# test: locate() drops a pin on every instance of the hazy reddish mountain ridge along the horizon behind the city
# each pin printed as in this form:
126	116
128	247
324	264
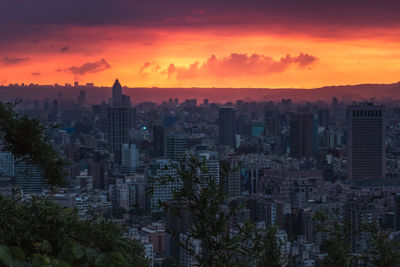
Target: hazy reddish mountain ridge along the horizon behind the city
360	92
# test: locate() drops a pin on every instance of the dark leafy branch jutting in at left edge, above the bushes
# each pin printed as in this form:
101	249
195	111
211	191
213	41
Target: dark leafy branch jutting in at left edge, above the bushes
25	138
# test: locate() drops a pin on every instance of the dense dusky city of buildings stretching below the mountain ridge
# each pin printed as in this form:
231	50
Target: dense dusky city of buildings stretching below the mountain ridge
287	161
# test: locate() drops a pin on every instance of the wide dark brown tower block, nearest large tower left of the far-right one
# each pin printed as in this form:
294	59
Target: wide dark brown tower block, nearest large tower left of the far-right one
303	135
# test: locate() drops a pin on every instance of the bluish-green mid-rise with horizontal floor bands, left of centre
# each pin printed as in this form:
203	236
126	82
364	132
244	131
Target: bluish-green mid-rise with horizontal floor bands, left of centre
175	146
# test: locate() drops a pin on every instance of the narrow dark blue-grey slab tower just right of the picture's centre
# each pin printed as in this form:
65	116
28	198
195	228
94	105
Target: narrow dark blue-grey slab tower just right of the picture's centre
227	126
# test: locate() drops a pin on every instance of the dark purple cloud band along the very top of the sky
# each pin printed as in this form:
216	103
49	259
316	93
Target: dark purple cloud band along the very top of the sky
161	12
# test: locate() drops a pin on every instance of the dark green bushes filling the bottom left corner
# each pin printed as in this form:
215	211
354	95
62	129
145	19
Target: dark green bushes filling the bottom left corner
40	233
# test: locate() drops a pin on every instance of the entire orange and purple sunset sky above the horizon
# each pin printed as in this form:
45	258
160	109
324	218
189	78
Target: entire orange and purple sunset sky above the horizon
221	43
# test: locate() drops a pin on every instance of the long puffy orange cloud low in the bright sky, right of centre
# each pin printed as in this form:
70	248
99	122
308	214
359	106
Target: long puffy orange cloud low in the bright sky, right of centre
236	65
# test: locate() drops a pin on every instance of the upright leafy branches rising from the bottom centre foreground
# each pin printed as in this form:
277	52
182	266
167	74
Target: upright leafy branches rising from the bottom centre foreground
211	219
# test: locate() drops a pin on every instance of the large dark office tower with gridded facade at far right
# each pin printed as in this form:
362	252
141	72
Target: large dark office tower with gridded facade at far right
366	147
